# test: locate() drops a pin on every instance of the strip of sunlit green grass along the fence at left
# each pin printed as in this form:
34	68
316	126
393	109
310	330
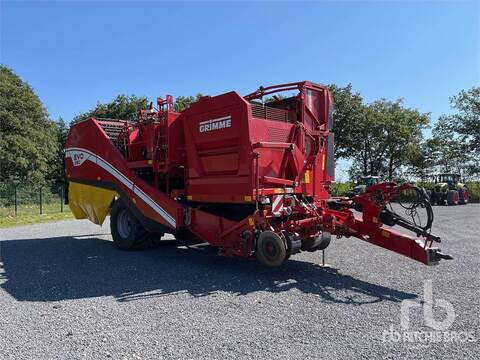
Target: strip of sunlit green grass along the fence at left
30	214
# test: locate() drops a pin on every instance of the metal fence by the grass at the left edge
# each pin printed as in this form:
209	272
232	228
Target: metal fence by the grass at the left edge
21	199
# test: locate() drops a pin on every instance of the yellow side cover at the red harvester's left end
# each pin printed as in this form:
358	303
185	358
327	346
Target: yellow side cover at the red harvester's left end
89	202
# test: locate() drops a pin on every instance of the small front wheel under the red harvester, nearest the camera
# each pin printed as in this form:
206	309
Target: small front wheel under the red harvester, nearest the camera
271	250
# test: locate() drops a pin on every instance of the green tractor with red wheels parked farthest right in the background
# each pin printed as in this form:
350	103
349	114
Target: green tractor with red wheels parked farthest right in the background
448	189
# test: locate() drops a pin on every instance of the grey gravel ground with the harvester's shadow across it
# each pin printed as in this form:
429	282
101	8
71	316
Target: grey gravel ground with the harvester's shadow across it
67	293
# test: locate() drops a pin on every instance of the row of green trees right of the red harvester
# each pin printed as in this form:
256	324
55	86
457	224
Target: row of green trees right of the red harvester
385	138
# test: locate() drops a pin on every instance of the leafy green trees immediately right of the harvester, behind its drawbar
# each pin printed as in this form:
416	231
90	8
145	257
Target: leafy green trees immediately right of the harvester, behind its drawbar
381	138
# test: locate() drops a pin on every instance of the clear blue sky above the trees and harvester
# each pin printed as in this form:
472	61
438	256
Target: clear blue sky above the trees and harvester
75	54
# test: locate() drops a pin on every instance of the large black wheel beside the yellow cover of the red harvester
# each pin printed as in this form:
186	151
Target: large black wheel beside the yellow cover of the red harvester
127	232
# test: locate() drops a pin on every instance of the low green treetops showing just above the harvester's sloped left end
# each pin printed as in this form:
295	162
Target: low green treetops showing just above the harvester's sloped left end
122	107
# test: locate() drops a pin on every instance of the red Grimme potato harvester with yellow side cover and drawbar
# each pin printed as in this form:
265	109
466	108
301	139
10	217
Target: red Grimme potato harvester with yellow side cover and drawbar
248	177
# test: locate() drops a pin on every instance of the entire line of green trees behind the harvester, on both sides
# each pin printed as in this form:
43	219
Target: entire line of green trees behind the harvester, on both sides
382	138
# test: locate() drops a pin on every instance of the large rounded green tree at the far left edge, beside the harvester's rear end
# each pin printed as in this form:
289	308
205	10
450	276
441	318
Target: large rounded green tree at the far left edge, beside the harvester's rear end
27	136
